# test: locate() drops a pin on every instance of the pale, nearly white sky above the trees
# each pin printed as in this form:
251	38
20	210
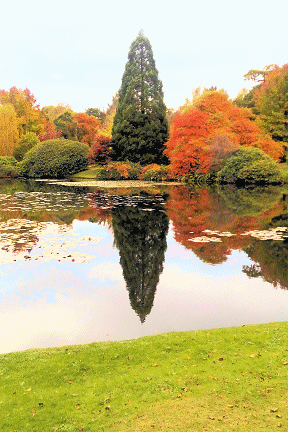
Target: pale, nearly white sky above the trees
75	52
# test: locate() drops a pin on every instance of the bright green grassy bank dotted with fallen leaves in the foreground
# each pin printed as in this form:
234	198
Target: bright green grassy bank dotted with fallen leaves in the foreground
232	379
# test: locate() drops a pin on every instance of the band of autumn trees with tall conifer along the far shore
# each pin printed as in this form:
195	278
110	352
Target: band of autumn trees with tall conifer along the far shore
211	136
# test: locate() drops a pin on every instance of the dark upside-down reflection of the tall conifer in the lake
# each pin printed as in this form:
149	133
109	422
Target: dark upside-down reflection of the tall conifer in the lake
140	235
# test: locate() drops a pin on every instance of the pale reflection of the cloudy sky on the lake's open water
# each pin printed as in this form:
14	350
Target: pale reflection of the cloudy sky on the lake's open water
56	303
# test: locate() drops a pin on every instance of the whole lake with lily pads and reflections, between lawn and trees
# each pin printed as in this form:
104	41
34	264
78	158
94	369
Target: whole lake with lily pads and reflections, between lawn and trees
80	264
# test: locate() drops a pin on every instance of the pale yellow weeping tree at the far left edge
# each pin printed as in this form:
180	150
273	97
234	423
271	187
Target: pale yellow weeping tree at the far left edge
9	134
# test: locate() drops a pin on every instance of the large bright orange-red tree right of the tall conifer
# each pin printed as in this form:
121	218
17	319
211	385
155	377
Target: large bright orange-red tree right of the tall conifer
211	115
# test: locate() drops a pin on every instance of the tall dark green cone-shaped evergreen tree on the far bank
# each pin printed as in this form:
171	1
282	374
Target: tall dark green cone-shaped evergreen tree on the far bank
140	127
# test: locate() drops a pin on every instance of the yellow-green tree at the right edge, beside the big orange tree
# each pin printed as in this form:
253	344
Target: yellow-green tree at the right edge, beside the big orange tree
272	103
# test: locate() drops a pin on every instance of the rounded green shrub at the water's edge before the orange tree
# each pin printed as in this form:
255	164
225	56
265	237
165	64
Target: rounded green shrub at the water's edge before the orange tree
249	165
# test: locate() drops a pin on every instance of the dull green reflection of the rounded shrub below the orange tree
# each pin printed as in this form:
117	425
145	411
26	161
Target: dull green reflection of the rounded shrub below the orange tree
249	201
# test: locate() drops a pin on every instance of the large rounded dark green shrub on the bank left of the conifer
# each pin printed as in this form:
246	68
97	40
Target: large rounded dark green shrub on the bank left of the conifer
55	158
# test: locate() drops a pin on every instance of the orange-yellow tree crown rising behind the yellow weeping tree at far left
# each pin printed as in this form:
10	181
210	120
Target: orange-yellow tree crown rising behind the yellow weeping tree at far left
27	111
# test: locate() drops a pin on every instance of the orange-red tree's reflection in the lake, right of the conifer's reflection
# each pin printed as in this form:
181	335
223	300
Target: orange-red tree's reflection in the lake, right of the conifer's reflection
194	211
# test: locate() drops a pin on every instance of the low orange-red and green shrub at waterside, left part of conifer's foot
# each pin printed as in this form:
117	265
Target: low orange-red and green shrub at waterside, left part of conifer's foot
120	171
